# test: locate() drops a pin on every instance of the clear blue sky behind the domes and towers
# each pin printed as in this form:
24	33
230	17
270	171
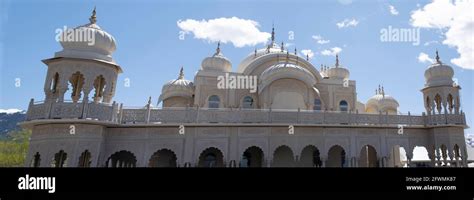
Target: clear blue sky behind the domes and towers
150	51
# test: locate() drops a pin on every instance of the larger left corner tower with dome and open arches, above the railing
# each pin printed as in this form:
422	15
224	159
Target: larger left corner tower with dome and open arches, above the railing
84	67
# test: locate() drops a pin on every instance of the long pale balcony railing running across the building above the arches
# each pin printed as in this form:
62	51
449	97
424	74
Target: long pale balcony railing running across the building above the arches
149	115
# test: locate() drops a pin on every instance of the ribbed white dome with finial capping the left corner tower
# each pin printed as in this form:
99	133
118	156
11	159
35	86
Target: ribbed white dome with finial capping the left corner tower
76	42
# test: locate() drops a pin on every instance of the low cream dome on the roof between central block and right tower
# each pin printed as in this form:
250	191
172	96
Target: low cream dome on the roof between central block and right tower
381	102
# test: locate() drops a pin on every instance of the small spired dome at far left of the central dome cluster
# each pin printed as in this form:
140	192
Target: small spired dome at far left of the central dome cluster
177	87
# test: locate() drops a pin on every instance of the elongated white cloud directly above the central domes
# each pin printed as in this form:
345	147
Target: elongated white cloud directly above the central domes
239	32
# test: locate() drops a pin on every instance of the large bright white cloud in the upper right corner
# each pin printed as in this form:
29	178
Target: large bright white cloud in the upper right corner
456	23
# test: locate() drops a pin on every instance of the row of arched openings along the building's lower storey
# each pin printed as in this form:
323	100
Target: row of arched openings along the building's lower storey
282	156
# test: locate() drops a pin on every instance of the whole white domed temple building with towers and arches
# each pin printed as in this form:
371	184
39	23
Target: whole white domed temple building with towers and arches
298	116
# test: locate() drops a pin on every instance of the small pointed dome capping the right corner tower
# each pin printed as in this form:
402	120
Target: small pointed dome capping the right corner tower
438	74
